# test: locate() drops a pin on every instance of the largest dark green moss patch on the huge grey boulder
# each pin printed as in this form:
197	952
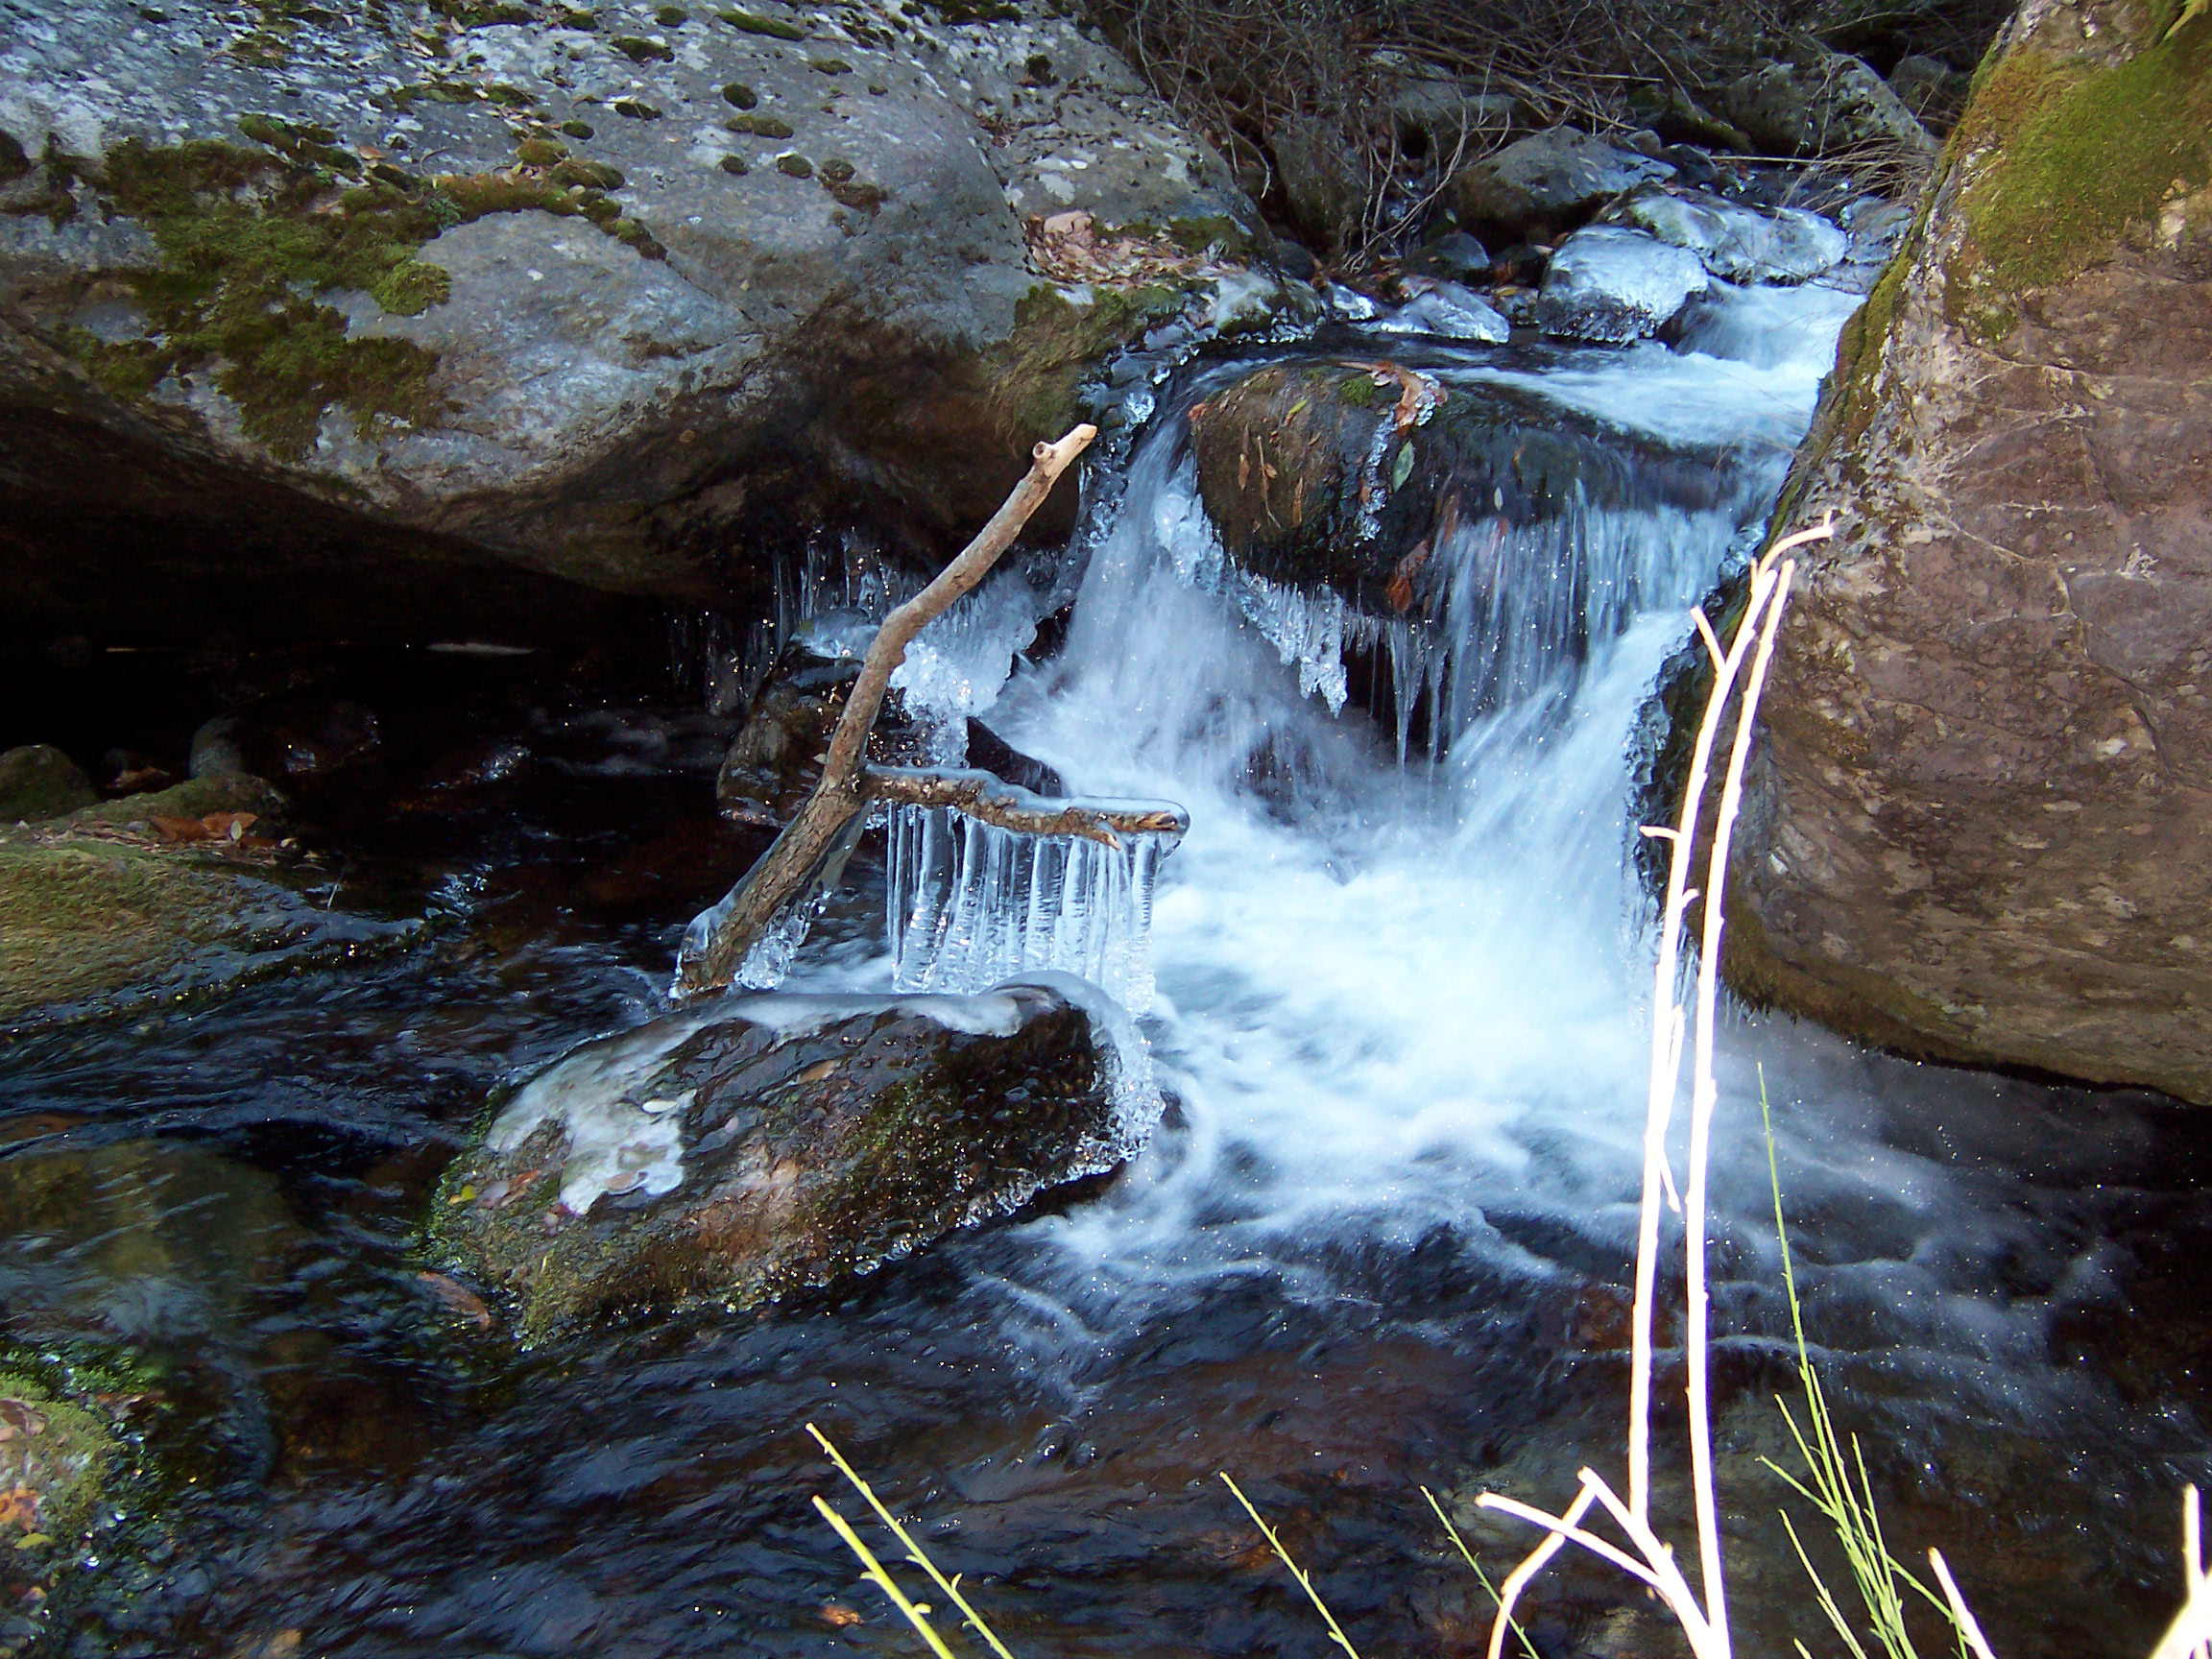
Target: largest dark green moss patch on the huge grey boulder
255	242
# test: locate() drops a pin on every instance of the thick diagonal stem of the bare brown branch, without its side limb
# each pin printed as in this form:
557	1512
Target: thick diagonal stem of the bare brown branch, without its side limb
791	864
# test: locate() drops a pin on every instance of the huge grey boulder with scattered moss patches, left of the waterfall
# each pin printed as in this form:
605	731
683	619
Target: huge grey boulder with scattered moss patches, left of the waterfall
344	302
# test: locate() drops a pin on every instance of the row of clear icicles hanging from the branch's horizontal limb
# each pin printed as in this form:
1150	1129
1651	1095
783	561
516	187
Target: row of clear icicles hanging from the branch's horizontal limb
970	906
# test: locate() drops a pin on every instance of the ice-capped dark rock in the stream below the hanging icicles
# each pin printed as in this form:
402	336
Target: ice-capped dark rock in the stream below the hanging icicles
758	1147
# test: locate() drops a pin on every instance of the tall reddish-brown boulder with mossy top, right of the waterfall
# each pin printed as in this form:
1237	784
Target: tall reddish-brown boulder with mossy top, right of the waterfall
1981	826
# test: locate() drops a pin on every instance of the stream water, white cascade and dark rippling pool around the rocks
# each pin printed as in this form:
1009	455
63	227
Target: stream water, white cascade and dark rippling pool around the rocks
1397	997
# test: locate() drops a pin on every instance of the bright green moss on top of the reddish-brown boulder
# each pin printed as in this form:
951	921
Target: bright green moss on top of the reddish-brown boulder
2069	158
